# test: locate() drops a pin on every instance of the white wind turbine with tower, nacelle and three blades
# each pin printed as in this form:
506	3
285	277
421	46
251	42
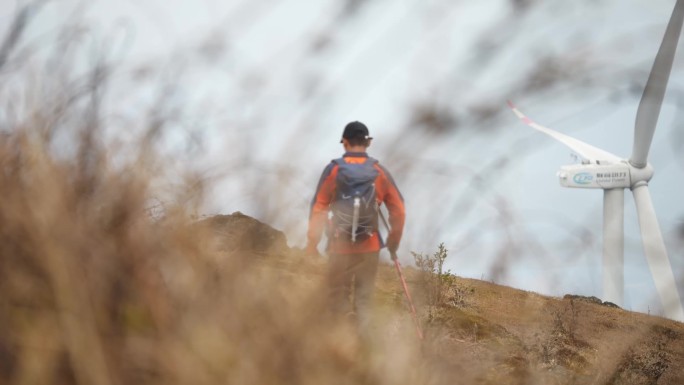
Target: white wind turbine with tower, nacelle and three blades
602	170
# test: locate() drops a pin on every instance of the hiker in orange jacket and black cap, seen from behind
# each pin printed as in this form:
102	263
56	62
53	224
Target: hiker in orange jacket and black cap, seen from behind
352	188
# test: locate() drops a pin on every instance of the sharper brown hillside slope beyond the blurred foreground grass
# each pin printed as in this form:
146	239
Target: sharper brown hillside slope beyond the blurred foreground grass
487	333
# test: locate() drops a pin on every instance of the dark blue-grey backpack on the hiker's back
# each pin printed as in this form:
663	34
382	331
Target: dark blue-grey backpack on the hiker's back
355	206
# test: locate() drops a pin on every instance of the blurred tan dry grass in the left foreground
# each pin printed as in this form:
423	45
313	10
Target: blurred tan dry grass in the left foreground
93	290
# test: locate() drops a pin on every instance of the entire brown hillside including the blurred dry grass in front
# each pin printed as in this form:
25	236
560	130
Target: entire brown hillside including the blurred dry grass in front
113	298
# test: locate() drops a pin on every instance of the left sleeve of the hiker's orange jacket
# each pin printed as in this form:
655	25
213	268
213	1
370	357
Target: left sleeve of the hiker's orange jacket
320	205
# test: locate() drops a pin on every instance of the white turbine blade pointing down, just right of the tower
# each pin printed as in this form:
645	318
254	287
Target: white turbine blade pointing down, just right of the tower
656	254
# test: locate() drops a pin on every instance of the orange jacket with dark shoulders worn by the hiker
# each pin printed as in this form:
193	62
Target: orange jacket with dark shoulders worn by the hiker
387	193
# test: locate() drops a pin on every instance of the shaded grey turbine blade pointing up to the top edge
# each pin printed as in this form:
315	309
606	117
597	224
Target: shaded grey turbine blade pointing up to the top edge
654	92
